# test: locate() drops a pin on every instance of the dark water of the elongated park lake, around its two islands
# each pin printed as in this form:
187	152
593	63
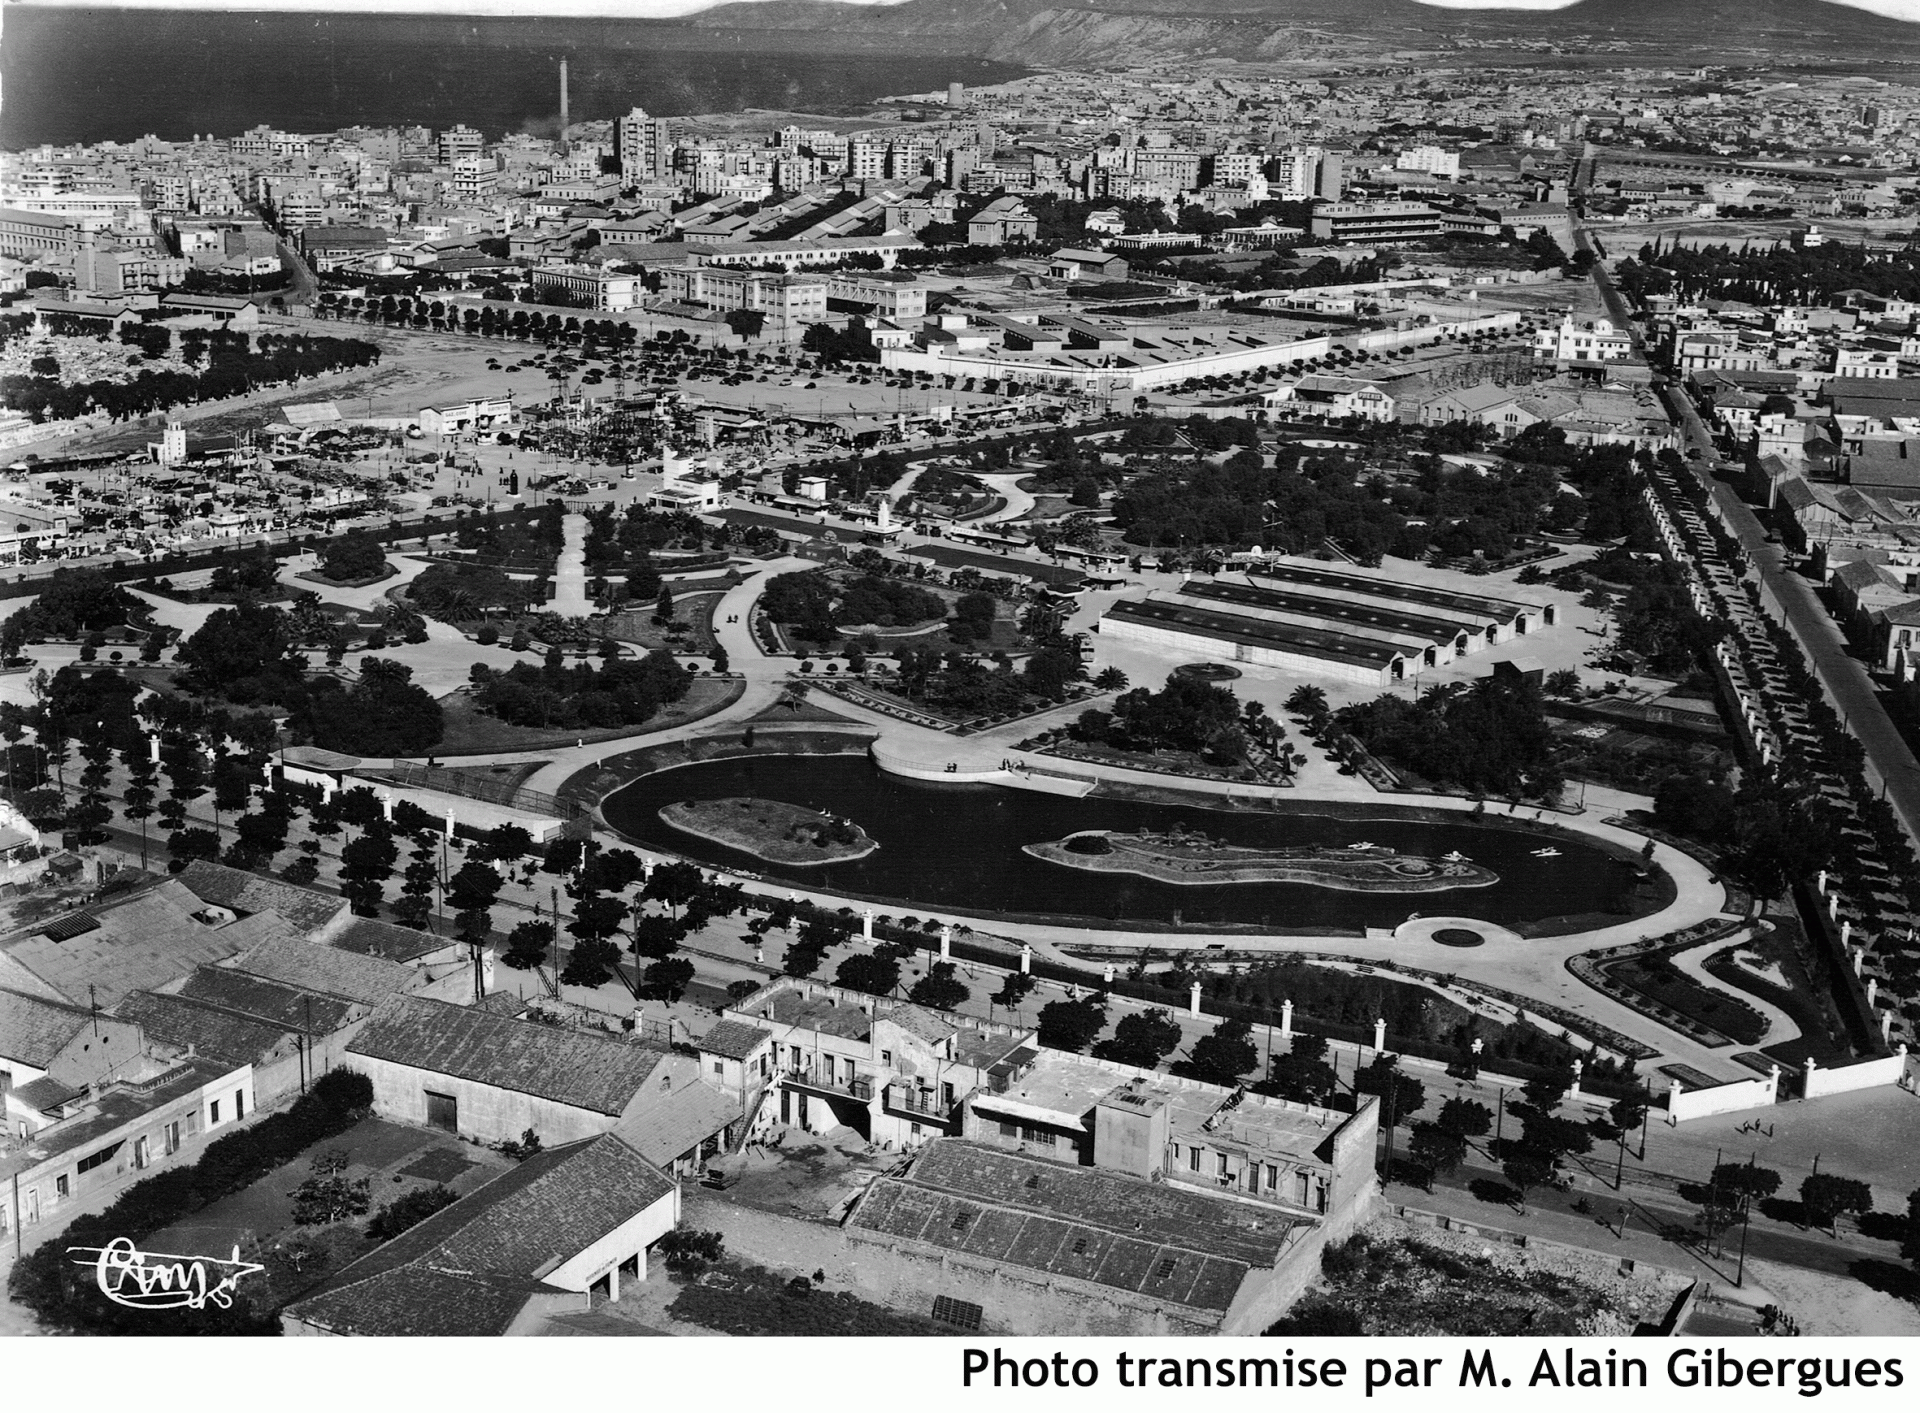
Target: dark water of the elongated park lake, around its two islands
963	850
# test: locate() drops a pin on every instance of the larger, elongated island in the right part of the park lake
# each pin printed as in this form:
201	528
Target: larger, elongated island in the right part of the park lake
1197	859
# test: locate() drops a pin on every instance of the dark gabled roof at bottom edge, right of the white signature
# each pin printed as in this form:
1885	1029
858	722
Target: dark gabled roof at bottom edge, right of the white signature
471	1268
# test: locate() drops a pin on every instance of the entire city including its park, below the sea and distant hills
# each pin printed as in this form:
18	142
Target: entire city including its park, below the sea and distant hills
1207	700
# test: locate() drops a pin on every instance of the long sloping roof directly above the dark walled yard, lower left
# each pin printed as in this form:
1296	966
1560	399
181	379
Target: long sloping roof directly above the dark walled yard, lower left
573	1068
